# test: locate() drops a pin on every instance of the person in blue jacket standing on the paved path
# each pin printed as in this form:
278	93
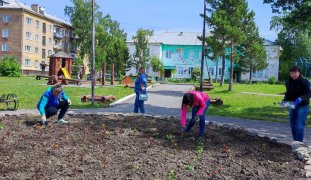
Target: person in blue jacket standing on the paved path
140	88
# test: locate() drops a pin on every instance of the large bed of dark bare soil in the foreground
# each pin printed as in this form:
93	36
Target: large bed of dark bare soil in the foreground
136	147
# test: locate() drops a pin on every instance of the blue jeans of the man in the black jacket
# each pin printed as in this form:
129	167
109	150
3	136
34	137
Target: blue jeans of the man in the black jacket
297	119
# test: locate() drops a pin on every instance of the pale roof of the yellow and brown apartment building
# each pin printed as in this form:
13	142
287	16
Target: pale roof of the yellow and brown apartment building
14	4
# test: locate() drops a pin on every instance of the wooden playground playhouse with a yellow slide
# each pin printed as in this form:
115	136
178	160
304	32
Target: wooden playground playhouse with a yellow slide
60	68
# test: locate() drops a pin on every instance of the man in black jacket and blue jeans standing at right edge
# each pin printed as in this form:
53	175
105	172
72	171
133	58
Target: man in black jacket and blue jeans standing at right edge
297	91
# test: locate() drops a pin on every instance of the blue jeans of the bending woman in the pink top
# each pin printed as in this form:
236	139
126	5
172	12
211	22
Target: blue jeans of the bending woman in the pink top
202	119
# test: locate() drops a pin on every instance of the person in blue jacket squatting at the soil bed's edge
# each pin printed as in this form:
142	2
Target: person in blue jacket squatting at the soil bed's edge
51	101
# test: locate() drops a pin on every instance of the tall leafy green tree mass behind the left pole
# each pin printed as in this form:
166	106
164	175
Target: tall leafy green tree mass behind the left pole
110	45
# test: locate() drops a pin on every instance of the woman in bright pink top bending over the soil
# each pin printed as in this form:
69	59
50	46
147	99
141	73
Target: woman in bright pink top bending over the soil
199	101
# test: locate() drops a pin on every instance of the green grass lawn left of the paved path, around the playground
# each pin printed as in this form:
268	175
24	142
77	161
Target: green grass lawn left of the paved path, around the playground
29	91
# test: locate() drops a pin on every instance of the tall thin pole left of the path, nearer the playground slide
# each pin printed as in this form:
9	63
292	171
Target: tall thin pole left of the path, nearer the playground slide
93	53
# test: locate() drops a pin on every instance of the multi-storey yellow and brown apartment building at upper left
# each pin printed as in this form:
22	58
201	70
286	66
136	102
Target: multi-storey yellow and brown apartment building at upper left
31	35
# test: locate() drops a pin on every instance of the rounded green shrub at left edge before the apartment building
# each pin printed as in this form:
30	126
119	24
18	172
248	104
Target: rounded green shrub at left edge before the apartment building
9	66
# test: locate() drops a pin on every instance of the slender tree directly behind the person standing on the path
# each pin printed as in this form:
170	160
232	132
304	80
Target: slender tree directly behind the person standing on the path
141	57
